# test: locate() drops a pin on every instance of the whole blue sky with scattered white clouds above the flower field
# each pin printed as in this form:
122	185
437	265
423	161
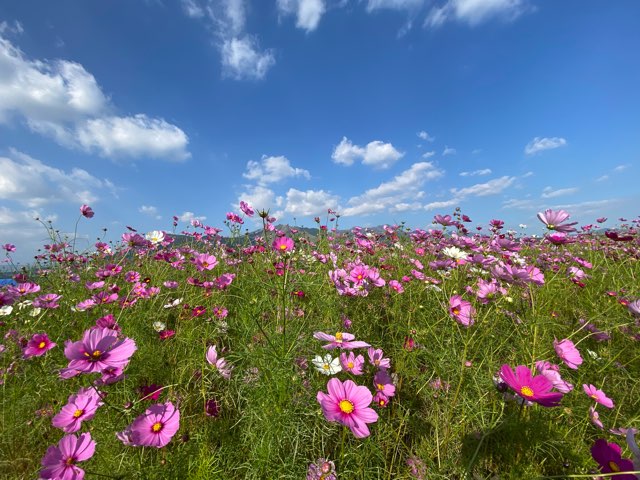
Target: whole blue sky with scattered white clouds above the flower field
385	110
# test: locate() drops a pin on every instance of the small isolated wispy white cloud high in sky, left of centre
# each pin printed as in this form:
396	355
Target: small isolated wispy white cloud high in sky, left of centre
242	59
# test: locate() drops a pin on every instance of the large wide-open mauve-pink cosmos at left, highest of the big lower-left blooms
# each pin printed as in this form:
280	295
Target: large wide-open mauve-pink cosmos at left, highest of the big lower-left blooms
99	349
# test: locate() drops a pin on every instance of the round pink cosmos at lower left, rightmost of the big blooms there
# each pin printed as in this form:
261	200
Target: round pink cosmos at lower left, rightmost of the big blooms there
156	426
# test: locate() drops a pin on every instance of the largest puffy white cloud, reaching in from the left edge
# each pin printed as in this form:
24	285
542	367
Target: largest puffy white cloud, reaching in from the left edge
62	100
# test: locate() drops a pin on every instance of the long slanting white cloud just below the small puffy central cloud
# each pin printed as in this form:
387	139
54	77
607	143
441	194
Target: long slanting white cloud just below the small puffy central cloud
403	187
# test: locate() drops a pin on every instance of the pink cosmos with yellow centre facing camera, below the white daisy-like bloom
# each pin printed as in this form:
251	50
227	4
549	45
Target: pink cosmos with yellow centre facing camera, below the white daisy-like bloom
348	404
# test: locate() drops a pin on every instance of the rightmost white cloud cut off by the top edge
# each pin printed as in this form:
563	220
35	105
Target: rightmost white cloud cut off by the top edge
474	12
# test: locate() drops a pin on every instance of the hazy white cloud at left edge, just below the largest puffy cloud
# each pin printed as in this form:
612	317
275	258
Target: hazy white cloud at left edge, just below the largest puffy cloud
34	184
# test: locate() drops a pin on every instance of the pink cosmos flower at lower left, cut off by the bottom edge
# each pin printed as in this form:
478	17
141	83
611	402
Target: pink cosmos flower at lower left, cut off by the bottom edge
60	461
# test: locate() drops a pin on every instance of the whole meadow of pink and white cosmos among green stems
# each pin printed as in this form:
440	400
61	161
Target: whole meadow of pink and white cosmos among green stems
446	351
